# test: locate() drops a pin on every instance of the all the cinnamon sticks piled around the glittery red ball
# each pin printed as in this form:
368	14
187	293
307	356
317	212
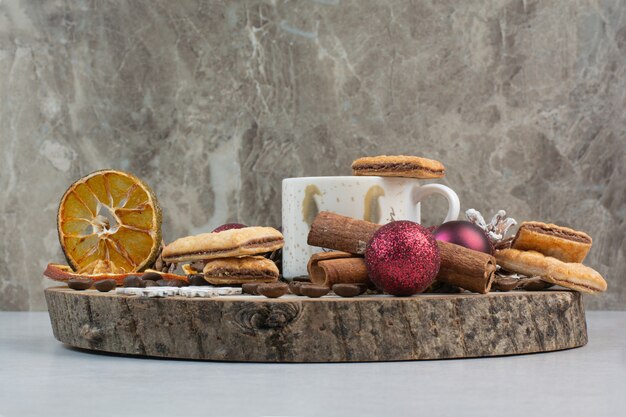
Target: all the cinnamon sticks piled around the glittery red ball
461	267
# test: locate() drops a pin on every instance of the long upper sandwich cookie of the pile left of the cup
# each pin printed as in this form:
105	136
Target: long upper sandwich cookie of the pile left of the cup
229	243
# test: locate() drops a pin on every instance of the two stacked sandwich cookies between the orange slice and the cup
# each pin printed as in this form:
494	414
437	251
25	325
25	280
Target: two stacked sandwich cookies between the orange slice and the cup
230	257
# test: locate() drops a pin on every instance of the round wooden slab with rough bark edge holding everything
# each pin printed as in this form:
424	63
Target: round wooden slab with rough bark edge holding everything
328	329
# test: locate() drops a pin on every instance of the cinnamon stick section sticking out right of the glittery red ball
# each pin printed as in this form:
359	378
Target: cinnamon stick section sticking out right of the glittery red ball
465	268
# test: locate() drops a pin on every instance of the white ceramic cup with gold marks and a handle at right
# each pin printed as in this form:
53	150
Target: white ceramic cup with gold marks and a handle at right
375	199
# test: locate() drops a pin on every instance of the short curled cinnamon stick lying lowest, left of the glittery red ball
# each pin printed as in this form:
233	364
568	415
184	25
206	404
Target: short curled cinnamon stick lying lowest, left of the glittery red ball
330	268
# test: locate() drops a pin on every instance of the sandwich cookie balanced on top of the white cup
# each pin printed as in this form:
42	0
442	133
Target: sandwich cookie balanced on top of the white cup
398	166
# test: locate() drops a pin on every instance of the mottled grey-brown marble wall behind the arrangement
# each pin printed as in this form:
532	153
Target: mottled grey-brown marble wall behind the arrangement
214	102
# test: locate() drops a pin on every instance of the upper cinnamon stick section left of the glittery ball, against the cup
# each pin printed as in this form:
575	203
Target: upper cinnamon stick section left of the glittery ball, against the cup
333	231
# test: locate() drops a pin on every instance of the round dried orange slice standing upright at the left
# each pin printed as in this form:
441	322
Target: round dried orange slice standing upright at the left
109	222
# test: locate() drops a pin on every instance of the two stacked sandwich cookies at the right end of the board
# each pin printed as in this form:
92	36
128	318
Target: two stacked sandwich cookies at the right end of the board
555	254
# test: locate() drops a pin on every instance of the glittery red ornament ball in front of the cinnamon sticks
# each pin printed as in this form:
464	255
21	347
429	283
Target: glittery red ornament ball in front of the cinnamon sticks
402	258
